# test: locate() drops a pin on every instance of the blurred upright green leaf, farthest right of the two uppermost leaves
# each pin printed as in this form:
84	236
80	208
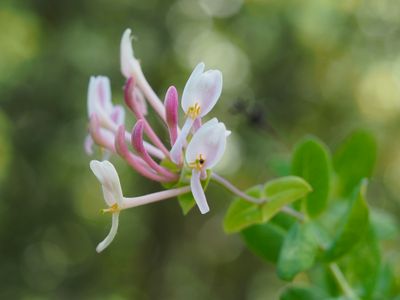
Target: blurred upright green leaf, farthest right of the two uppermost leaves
354	160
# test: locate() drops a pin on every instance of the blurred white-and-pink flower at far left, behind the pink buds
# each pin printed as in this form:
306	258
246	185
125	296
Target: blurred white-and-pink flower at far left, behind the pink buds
108	116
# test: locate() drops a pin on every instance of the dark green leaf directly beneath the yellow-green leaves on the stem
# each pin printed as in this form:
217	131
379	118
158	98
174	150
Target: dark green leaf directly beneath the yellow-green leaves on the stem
265	240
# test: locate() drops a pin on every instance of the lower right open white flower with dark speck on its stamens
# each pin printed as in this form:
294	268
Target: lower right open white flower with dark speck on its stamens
203	152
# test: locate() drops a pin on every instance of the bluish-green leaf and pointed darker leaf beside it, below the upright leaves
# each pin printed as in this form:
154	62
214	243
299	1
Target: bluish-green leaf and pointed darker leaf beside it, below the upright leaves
302	243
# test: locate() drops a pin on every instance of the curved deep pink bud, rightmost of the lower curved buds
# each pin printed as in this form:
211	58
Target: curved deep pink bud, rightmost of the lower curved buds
138	144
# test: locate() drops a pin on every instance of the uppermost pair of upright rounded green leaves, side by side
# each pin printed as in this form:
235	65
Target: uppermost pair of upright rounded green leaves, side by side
353	161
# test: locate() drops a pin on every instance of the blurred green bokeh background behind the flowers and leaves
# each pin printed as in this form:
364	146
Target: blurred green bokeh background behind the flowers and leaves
290	68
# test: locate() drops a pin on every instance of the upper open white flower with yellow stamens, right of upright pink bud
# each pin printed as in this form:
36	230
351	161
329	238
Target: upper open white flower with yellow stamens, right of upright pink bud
200	94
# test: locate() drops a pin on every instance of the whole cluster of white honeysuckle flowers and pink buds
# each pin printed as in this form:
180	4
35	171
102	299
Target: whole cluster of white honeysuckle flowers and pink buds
194	149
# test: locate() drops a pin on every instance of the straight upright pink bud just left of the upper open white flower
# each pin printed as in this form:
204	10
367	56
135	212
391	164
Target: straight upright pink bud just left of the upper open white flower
171	108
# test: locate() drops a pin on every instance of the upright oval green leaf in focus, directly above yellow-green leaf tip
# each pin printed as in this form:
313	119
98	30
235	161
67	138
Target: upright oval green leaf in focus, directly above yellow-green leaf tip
311	161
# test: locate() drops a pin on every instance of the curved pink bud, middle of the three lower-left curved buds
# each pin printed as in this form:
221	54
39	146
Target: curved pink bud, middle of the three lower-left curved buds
134	161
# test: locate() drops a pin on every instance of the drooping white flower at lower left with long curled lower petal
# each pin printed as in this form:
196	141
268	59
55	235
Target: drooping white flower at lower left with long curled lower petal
108	177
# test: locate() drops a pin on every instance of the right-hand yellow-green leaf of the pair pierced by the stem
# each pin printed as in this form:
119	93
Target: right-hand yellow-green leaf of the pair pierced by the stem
281	192
